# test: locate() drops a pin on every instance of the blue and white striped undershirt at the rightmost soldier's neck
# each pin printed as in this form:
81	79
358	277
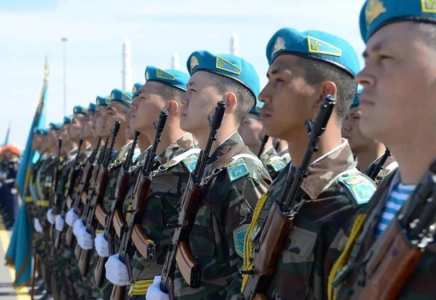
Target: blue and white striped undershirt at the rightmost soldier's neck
396	199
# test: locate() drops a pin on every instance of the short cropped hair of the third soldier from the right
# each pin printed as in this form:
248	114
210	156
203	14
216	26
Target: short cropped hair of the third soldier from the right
246	99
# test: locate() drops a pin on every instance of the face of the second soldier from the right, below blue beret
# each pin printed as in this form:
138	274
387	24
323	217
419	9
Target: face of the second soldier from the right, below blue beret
288	99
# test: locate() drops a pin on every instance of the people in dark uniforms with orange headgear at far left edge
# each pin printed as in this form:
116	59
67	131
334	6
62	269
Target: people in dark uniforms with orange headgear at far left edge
9	164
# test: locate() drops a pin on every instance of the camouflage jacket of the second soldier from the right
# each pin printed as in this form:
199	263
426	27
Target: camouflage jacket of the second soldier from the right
332	193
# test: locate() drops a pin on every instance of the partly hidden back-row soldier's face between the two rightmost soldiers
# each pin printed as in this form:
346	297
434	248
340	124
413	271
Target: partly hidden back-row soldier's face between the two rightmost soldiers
351	131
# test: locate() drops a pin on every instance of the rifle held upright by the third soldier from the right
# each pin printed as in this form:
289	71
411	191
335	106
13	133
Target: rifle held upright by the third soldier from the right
179	252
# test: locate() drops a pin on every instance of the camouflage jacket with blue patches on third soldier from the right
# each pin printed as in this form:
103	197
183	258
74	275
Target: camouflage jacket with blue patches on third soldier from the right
226	209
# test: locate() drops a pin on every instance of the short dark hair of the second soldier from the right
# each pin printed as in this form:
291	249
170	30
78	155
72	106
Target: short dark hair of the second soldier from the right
317	71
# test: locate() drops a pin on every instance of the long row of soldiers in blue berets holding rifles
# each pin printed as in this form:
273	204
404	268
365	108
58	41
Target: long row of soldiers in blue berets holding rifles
155	194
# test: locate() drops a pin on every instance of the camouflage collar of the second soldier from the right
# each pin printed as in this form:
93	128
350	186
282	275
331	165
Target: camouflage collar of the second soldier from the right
324	169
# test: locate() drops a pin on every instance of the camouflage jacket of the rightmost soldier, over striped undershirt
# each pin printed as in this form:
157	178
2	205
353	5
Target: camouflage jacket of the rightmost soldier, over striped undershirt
421	283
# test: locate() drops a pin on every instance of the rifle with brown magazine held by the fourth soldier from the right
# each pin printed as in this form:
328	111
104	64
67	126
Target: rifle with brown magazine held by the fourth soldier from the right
141	192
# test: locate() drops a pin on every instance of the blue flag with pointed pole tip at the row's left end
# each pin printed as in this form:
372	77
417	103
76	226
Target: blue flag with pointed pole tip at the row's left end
19	254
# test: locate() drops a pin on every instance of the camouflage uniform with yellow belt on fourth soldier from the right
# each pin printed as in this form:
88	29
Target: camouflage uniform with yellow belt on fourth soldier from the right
162	208
